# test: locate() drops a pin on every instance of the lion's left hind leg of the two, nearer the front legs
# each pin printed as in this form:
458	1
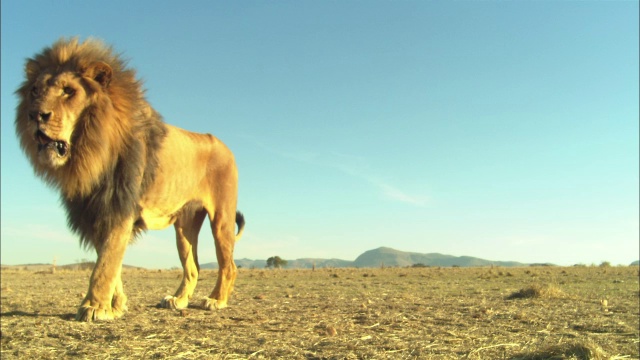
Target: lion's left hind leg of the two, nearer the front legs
187	228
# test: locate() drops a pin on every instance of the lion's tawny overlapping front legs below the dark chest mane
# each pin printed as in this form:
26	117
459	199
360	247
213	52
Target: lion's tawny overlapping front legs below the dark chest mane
105	298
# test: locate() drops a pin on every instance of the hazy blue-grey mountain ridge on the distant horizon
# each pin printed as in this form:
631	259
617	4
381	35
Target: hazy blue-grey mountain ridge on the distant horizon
382	256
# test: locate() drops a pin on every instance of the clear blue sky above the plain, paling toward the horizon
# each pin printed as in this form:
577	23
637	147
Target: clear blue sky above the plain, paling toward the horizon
501	130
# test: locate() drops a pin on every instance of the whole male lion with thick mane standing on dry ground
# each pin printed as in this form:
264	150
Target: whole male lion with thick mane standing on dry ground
87	129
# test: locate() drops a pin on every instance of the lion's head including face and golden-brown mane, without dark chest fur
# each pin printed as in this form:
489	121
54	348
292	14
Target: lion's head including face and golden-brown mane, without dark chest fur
77	106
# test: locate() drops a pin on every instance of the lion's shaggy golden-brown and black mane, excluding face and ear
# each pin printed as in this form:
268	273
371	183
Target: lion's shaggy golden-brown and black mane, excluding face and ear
114	143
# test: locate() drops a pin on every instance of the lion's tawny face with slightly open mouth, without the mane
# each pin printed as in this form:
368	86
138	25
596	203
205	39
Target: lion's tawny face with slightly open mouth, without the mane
54	104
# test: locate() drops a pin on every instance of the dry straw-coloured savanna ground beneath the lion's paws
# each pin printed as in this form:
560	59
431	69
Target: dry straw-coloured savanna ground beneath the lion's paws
392	313
